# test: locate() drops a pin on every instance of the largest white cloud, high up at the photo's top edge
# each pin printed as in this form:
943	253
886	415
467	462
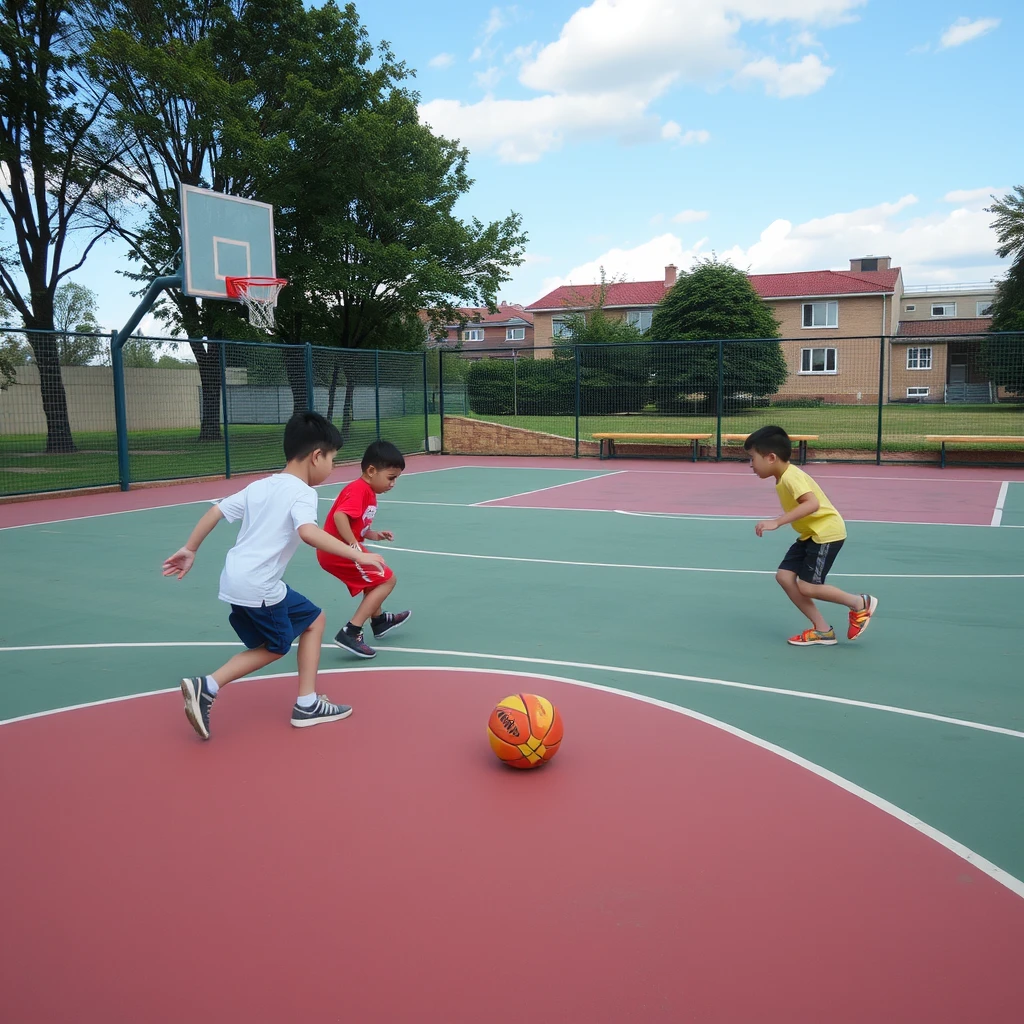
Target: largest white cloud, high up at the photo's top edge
614	59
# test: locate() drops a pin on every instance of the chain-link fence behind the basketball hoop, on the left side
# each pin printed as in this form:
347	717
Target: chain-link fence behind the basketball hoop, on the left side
191	408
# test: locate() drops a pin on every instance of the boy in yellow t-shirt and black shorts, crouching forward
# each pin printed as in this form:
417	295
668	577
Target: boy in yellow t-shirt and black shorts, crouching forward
805	507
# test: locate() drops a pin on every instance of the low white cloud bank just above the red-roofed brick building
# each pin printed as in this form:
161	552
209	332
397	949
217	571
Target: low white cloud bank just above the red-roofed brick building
946	247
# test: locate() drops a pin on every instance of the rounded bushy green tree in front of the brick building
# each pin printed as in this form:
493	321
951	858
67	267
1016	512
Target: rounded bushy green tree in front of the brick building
714	301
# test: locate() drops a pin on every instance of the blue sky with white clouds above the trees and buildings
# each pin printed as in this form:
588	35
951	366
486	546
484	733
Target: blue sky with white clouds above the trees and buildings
781	135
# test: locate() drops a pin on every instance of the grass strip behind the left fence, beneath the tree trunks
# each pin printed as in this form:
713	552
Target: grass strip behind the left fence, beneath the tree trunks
167	455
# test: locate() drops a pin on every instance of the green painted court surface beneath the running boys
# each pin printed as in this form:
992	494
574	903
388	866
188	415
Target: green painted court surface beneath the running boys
926	711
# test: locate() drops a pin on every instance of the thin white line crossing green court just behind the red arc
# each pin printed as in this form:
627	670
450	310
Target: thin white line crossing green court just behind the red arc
522	660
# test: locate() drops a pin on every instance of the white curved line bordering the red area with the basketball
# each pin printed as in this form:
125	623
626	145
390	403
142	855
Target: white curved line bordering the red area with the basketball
983	865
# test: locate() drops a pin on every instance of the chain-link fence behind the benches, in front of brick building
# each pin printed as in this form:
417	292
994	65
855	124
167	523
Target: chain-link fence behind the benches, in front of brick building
872	400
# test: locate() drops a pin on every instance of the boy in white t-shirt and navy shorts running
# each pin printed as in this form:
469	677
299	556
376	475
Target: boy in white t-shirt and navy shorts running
277	513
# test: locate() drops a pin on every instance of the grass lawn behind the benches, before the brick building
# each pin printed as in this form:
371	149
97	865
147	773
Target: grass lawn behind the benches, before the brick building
904	428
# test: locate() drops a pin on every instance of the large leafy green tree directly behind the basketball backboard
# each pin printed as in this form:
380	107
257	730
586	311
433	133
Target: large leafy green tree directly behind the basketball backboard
298	109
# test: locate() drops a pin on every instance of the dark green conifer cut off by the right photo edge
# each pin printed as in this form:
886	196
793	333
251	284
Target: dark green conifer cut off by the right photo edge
1004	356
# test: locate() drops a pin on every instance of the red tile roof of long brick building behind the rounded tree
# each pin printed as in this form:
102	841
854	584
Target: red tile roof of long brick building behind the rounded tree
769	286
